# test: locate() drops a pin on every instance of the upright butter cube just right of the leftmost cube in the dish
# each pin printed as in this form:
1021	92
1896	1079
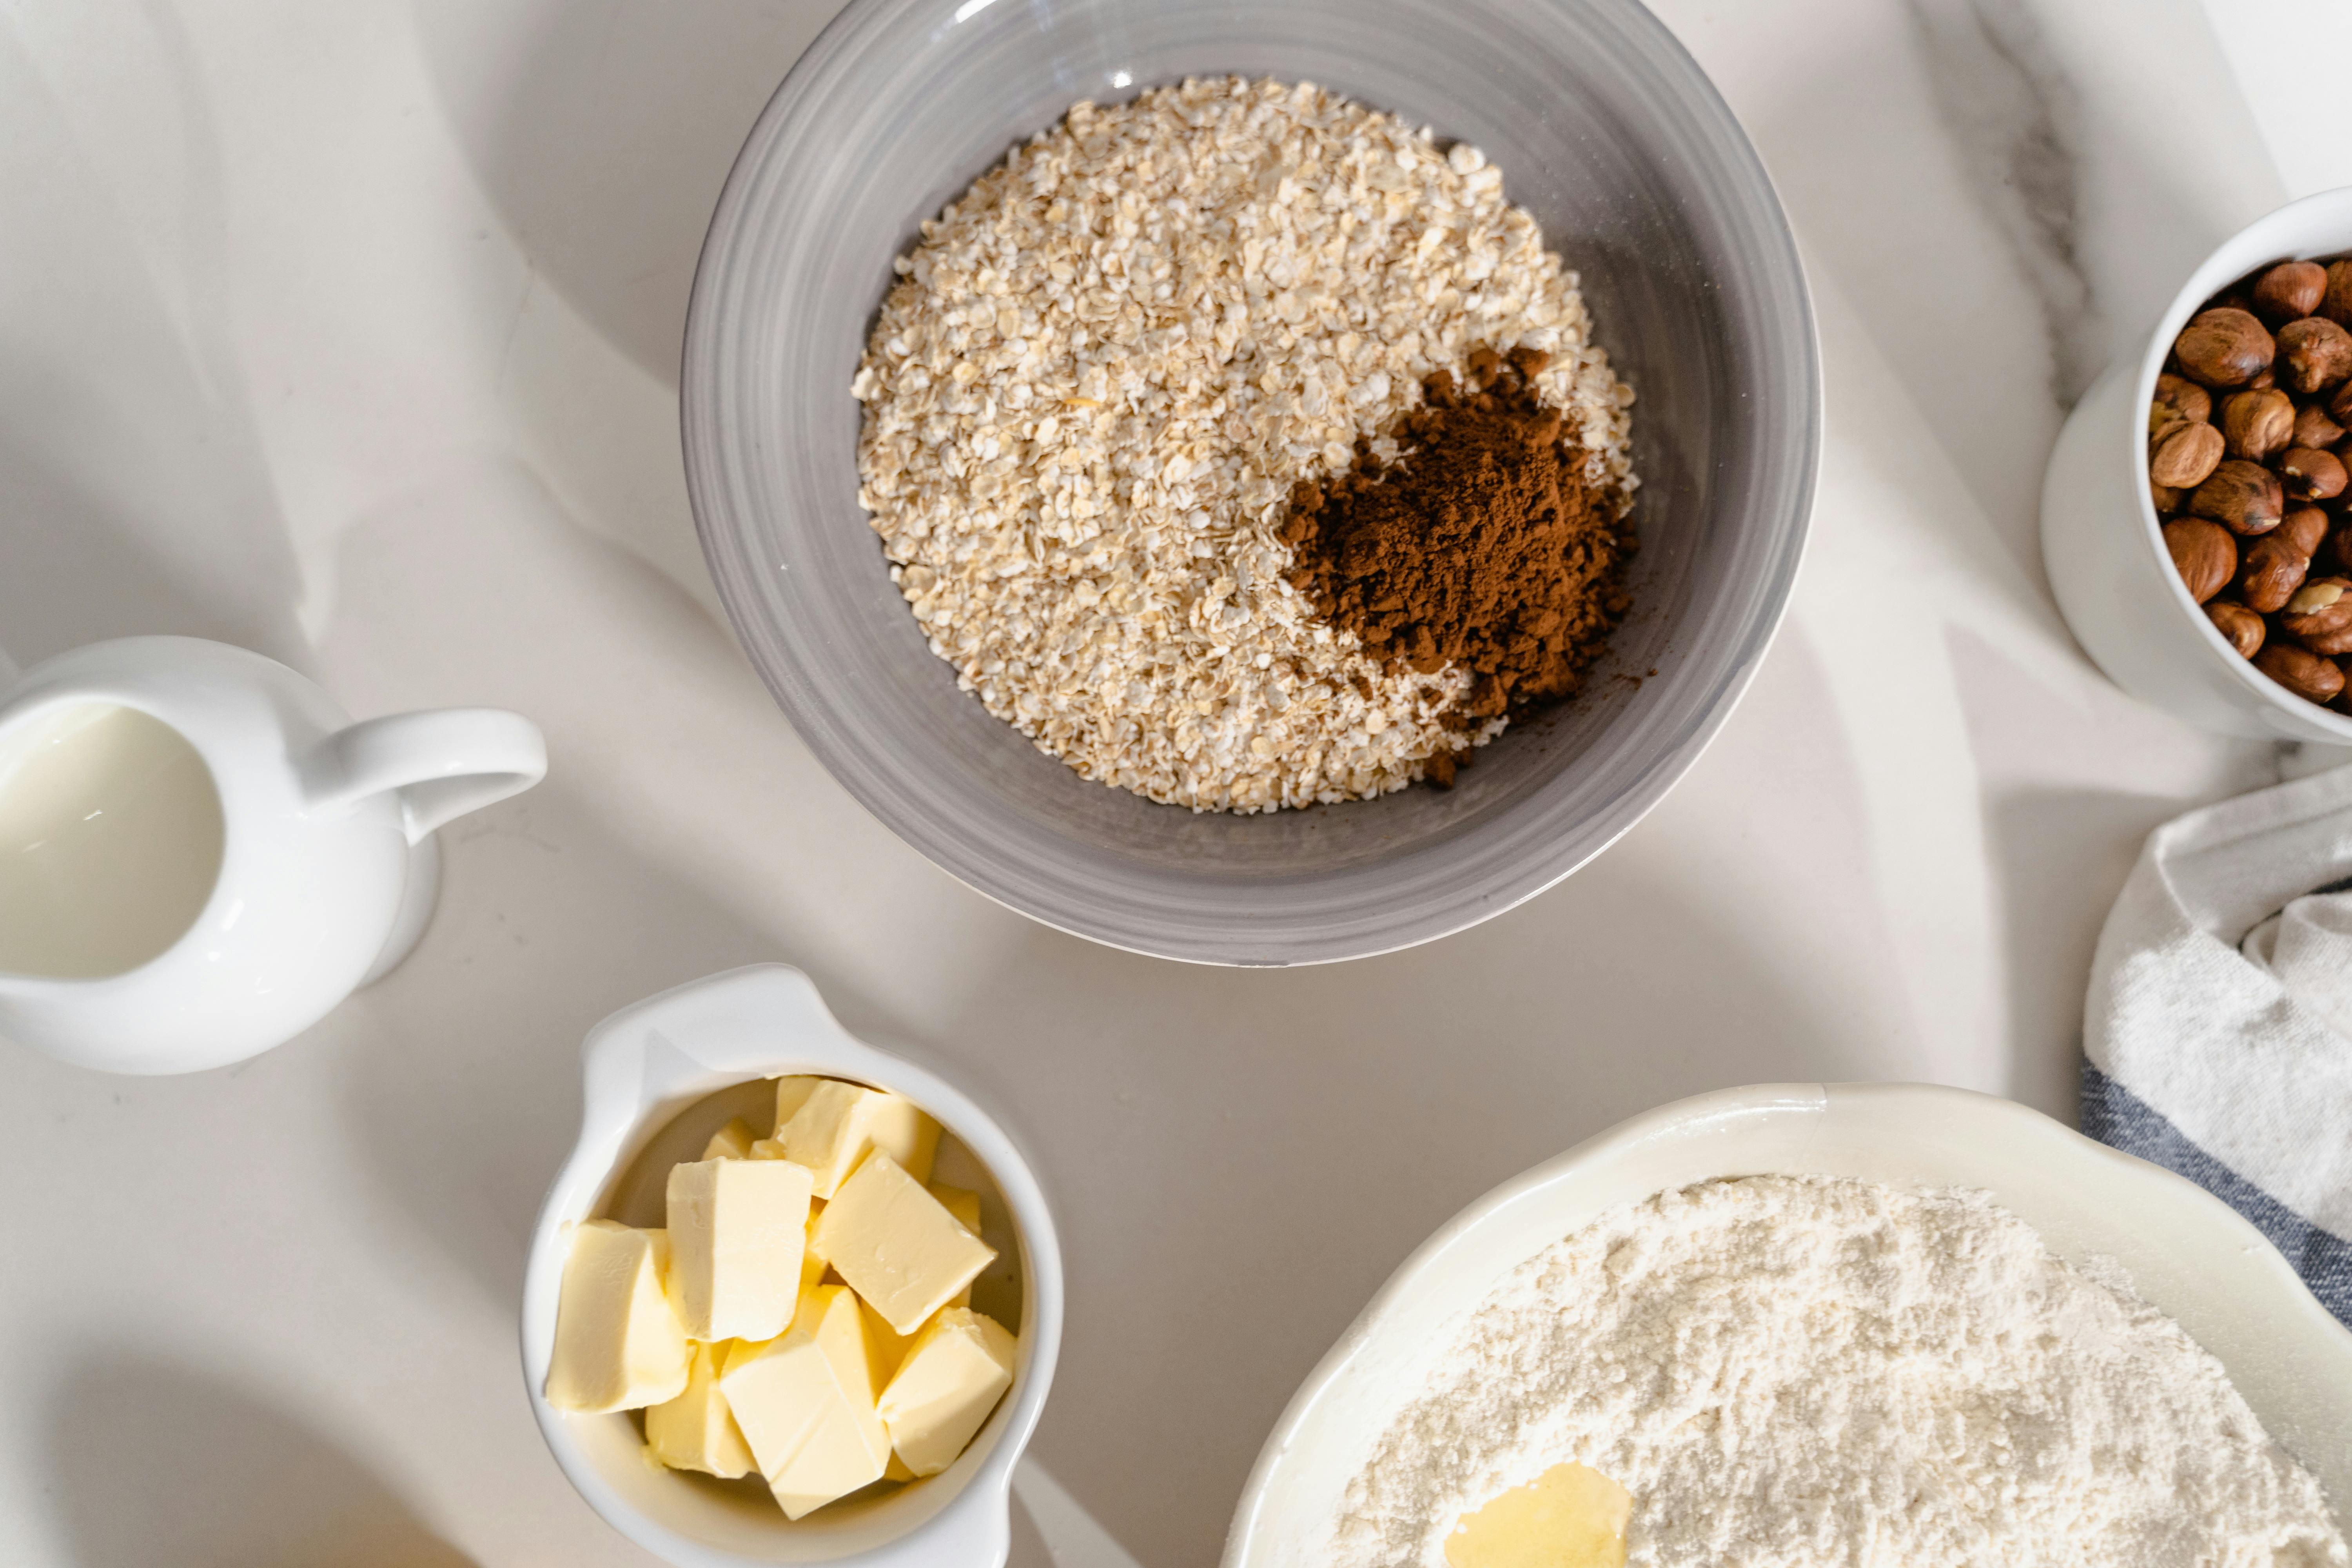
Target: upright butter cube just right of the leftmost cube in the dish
737	1233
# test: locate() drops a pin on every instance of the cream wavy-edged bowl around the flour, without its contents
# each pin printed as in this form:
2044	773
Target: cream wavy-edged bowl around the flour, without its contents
2186	1252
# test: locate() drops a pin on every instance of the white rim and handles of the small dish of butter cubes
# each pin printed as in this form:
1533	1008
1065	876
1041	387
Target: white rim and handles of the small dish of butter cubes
657	1057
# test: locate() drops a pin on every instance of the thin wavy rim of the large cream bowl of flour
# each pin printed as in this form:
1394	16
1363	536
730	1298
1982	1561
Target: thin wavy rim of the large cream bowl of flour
1728	1113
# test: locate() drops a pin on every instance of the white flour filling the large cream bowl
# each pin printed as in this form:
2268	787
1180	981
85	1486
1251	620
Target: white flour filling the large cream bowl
1793	1374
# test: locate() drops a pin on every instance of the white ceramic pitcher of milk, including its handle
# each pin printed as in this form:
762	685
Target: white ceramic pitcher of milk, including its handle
312	873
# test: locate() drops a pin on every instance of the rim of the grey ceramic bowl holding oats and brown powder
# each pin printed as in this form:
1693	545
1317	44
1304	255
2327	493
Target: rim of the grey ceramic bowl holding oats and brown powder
1245	930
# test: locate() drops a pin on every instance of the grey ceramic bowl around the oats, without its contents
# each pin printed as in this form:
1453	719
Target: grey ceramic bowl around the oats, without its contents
1641	177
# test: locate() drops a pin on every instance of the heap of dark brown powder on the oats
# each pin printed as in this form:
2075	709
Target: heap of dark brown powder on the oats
1481	547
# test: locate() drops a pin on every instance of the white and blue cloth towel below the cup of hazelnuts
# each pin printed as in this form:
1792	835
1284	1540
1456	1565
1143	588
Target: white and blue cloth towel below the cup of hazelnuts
2219	1026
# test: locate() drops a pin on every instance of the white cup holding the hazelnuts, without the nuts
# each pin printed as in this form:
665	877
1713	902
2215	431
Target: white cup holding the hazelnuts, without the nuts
2104	547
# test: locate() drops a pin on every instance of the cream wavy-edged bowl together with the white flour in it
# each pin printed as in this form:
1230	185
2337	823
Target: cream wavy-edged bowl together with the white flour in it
1951	1339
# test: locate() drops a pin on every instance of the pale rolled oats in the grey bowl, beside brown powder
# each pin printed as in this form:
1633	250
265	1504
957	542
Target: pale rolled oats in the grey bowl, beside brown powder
1100	377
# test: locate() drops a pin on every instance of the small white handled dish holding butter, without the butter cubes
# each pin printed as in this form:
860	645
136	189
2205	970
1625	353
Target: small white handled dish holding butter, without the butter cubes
648	1064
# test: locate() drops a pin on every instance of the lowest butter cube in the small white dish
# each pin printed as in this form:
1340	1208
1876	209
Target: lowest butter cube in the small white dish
806	1405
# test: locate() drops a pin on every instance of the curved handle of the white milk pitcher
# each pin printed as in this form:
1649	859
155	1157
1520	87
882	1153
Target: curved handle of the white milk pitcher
441	763
